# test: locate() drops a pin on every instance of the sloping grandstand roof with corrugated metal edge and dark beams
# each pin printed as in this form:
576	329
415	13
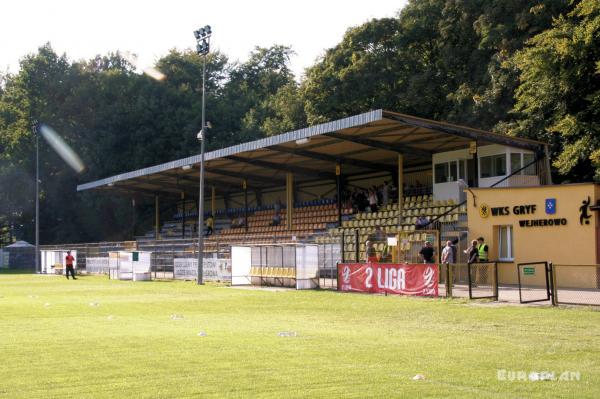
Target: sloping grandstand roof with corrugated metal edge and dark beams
362	143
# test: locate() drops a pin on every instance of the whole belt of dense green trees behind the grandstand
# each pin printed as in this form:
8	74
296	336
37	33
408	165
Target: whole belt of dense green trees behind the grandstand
528	68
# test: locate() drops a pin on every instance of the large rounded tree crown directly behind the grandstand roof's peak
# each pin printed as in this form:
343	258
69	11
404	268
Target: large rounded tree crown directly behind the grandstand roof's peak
438	59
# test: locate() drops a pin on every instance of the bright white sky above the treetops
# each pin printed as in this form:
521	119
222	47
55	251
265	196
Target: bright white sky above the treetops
150	28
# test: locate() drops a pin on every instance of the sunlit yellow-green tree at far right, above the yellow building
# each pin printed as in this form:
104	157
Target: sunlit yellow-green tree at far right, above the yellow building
558	98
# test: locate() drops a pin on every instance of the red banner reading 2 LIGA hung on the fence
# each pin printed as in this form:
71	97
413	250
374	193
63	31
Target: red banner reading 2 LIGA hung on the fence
403	279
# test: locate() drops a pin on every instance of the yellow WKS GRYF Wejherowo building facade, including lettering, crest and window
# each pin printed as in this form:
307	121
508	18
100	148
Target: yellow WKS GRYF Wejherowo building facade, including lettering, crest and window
557	223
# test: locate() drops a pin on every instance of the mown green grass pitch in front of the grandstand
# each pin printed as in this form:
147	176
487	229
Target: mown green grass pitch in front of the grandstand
95	338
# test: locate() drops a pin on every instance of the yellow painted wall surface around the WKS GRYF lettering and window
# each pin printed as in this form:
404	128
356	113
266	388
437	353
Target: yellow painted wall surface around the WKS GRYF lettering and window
572	244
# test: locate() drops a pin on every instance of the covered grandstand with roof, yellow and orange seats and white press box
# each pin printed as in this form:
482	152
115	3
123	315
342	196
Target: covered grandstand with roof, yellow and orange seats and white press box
310	178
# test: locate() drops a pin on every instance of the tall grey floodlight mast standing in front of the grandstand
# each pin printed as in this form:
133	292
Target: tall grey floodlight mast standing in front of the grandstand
202	36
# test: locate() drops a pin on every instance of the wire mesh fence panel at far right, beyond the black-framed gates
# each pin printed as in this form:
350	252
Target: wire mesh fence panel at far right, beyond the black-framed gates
576	284
